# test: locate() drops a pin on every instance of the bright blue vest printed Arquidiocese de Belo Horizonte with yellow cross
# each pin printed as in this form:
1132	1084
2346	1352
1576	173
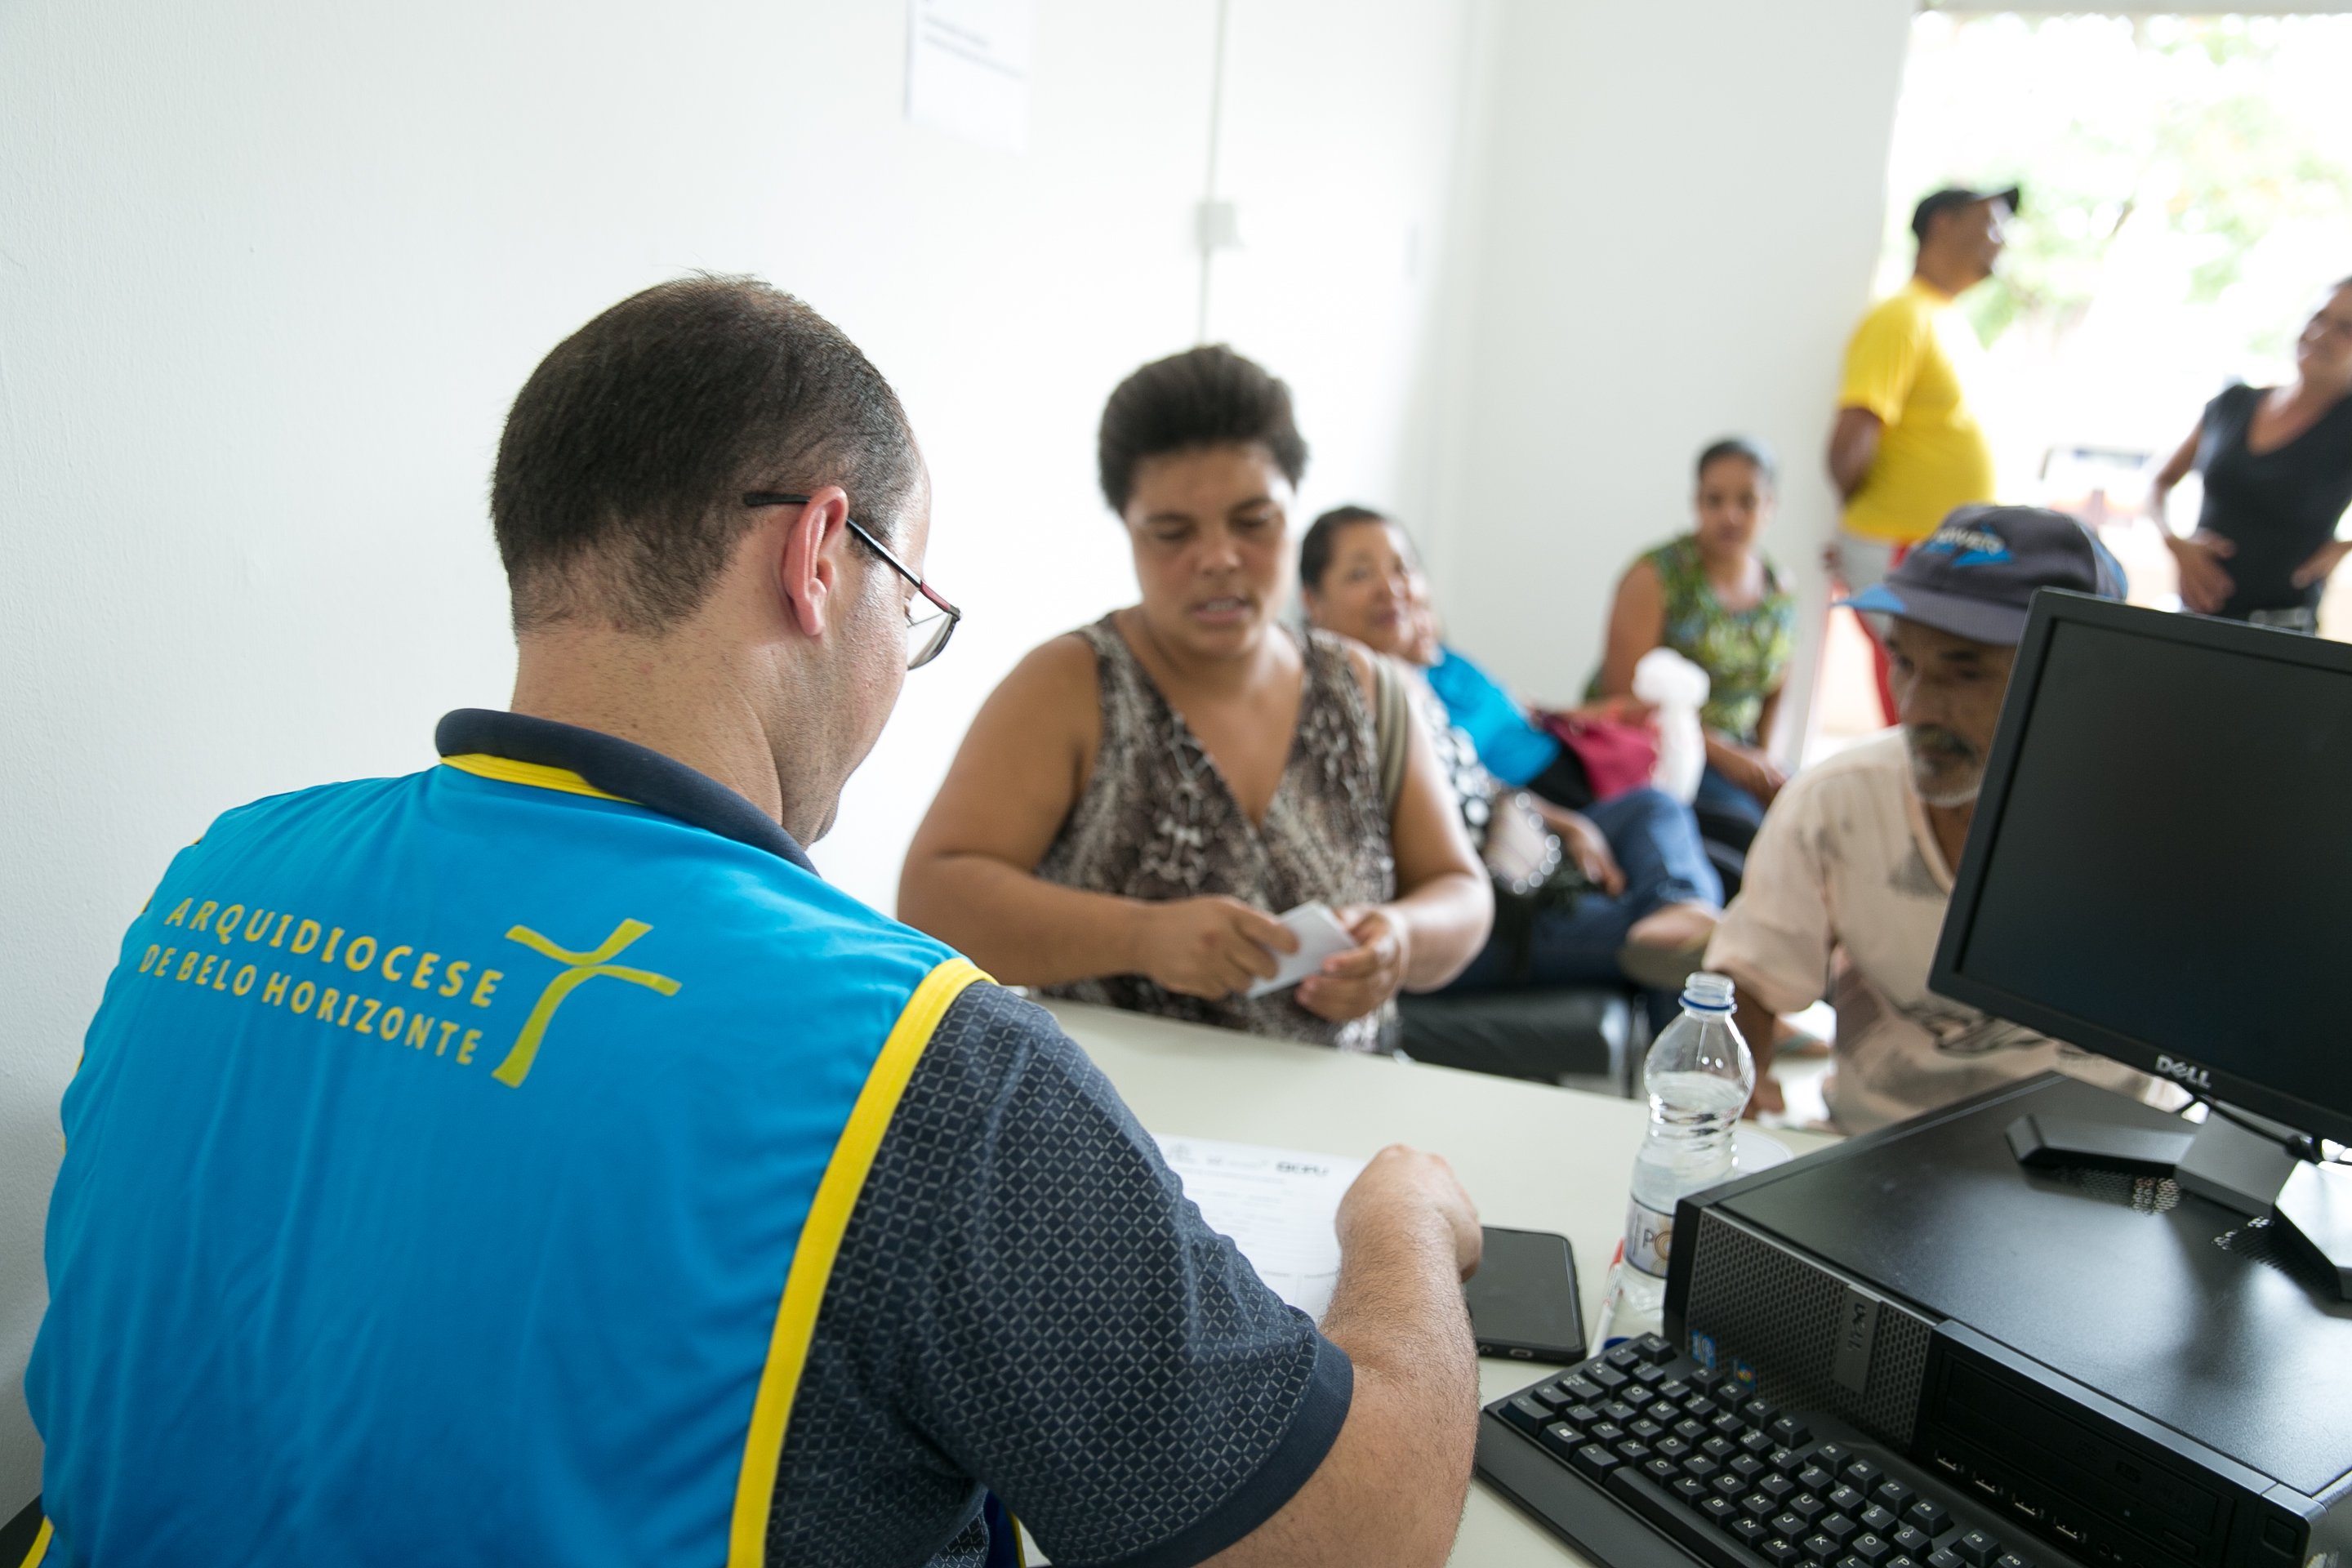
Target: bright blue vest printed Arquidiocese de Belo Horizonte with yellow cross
453	1174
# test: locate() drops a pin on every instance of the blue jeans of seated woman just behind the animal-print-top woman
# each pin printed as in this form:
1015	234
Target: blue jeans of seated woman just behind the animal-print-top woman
1655	840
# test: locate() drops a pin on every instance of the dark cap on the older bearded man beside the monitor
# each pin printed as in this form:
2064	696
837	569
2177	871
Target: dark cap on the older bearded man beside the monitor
1977	575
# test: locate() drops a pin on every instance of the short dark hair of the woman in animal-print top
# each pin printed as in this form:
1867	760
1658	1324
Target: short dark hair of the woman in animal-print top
1201	398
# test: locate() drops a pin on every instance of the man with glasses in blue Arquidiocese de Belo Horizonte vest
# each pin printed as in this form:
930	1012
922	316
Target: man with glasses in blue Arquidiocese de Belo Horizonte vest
535	1162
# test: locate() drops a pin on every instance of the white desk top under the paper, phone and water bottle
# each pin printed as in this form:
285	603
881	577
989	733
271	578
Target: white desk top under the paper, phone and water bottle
1532	1158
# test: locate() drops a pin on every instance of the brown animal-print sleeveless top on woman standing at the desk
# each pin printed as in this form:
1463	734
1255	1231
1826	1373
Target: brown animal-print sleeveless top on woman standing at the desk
1161	824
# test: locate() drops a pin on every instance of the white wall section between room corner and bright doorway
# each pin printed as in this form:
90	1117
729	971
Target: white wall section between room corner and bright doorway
1681	210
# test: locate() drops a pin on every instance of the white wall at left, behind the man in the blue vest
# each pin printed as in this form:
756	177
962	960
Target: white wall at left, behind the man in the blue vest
269	276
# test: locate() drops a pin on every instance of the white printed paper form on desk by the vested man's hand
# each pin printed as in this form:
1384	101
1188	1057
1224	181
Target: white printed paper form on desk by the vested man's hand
1281	1207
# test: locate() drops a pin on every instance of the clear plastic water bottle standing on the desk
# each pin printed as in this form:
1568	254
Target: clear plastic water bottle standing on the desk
1699	1076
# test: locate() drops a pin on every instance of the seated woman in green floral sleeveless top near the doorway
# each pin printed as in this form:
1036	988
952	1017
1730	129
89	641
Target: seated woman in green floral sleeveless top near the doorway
1713	598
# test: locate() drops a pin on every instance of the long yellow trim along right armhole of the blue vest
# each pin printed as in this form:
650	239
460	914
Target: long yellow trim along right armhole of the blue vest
820	1242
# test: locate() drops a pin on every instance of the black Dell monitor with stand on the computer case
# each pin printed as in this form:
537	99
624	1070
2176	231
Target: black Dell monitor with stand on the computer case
2160	871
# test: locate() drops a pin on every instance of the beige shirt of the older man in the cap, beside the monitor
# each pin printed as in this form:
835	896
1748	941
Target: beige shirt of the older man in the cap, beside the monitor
1845	892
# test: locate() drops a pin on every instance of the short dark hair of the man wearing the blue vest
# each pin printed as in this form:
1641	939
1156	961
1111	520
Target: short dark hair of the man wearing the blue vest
620	481
